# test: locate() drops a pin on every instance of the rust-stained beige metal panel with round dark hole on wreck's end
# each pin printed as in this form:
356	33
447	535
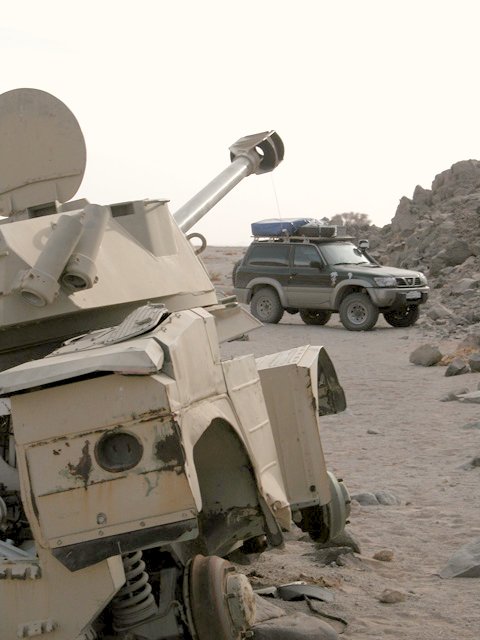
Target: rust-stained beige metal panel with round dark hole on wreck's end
78	500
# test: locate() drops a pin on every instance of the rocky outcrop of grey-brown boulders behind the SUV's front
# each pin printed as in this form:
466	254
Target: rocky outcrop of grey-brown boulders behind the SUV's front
437	231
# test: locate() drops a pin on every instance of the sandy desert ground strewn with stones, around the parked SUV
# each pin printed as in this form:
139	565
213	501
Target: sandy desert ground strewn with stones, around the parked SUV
396	435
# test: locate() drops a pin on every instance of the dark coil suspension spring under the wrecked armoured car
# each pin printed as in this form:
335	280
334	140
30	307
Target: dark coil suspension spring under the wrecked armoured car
134	603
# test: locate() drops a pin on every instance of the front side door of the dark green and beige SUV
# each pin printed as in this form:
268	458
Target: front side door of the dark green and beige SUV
309	284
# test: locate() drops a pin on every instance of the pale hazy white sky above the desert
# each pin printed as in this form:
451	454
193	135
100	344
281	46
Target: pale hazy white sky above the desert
371	97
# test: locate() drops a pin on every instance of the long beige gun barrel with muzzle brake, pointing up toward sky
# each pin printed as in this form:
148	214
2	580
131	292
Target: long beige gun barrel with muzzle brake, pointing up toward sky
258	153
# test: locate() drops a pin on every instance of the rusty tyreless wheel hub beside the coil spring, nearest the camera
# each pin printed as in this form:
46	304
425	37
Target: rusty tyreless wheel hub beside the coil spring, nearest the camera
220	601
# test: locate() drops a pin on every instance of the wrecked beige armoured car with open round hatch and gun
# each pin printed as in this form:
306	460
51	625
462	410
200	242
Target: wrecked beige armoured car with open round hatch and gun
132	458
